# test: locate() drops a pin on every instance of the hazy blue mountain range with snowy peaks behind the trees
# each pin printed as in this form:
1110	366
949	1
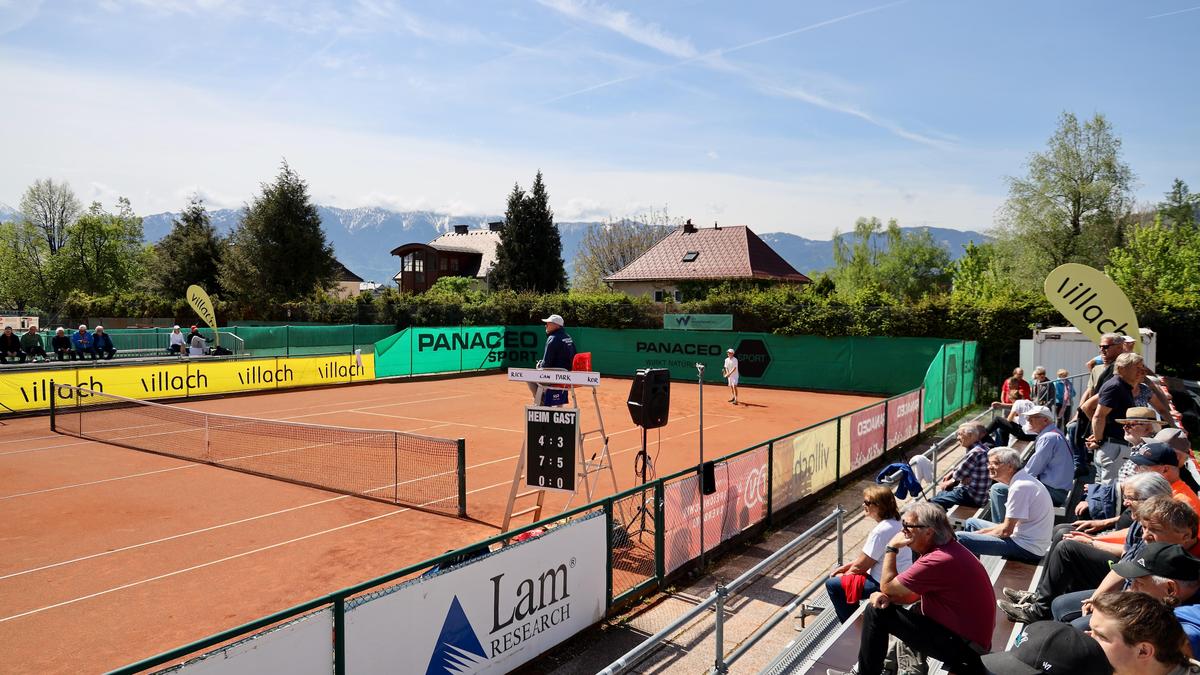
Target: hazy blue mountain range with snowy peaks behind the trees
364	237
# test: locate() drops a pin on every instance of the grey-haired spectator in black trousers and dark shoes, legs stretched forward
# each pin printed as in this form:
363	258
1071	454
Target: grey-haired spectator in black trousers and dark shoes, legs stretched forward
1081	561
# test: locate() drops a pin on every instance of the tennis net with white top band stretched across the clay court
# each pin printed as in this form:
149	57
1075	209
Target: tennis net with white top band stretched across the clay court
391	467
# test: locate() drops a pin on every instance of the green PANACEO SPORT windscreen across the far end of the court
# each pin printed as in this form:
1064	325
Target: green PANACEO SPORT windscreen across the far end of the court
877	366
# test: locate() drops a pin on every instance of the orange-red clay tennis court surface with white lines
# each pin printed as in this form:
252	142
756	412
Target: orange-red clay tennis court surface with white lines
113	555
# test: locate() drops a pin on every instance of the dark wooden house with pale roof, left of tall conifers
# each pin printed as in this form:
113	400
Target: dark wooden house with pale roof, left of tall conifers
463	253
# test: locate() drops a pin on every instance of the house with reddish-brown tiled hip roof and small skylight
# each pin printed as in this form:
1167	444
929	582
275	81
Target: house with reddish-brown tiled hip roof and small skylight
711	254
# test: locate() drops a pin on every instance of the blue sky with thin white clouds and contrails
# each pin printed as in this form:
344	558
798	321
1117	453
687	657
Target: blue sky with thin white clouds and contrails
796	117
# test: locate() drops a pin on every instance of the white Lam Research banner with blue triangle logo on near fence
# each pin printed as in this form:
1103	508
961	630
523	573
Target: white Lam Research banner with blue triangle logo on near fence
490	616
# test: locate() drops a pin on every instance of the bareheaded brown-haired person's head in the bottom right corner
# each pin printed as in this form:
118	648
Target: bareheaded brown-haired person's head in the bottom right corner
1141	636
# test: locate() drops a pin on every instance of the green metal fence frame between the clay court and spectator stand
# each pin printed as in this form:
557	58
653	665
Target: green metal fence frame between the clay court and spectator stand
631	572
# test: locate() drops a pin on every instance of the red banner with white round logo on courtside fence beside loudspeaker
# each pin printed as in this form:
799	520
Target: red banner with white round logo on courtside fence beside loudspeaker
740	501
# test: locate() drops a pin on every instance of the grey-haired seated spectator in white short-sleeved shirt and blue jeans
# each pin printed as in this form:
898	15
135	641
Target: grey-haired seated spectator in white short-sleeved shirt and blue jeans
1024	535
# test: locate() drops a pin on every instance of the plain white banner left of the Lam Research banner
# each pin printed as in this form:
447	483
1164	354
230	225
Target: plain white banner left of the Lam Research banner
301	648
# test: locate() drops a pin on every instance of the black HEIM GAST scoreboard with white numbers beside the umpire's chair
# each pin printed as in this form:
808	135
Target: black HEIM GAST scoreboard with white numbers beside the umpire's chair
550	447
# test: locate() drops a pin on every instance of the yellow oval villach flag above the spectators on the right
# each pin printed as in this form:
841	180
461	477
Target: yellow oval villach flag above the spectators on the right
1091	302
